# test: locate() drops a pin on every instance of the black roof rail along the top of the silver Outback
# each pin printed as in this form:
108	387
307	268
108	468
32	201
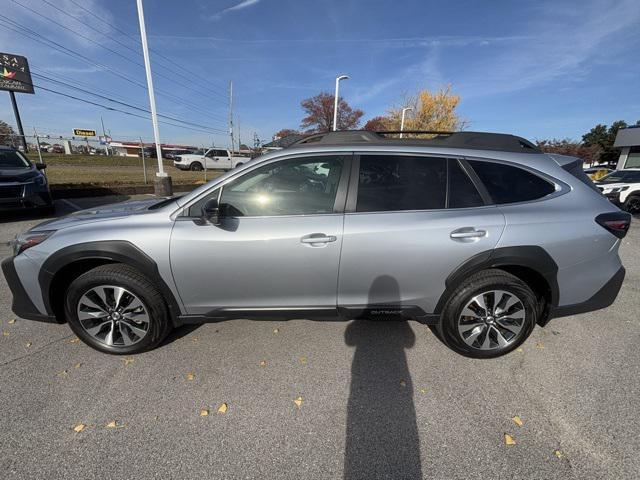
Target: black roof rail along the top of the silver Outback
471	140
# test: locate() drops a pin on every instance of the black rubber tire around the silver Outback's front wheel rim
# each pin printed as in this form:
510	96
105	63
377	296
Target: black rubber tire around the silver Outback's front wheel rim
125	276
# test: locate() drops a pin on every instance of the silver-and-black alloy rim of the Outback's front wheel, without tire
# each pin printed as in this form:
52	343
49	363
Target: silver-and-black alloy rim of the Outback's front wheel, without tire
113	315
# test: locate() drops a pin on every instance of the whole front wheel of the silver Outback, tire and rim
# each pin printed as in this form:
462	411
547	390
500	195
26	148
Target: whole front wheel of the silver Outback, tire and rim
115	309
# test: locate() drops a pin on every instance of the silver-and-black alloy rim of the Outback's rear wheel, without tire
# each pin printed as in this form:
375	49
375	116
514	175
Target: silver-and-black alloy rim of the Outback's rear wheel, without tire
492	319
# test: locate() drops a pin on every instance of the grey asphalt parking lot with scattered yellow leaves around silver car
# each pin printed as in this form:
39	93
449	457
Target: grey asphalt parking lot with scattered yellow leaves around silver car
304	399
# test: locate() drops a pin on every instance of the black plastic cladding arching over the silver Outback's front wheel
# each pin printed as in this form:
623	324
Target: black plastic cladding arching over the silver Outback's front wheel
108	251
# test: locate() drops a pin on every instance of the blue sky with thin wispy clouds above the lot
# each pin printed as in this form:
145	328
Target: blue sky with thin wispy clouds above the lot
540	69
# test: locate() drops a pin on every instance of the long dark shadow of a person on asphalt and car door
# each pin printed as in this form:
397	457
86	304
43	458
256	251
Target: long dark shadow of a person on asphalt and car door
382	439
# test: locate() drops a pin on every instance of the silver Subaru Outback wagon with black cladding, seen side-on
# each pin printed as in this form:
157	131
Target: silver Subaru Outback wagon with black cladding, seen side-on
479	236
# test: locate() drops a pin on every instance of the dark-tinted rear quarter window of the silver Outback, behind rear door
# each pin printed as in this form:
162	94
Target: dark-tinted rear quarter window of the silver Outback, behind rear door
509	184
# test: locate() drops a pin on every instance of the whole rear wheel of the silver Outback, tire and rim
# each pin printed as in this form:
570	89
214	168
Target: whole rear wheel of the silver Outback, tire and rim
489	315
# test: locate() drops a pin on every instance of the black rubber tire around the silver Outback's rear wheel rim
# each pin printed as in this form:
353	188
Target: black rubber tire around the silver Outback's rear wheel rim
485	281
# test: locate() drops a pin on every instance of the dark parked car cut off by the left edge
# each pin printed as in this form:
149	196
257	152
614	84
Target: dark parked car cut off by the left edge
23	185
